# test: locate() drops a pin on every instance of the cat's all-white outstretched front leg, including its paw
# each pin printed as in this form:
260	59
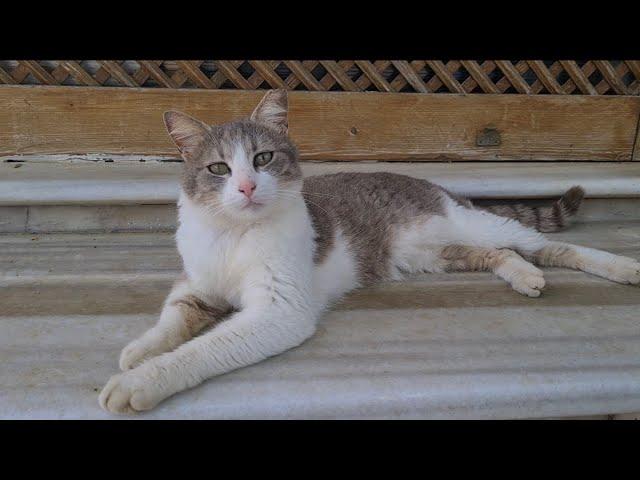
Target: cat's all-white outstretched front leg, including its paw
246	337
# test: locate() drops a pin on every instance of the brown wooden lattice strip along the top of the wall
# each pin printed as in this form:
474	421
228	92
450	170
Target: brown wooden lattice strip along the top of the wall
556	77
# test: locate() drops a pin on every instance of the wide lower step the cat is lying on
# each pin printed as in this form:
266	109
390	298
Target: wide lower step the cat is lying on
436	346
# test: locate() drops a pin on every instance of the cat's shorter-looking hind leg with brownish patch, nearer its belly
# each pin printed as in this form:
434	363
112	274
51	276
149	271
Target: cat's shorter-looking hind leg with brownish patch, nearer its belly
523	277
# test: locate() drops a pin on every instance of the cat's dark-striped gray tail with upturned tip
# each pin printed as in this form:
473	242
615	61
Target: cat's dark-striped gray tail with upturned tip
549	218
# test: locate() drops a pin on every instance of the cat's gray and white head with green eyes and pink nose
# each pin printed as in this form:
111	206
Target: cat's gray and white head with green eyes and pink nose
242	170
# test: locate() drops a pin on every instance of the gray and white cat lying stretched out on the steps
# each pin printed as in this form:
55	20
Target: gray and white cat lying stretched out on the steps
265	251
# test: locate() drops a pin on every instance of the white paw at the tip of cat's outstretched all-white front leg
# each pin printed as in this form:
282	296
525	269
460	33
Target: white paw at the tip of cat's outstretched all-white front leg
130	392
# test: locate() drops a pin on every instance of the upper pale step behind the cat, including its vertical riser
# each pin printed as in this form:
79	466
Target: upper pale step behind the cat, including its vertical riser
138	194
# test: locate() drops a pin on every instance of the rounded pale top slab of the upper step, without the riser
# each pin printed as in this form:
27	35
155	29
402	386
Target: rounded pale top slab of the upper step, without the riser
113	180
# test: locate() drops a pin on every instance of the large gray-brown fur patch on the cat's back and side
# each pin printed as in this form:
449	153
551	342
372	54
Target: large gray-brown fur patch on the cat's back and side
368	207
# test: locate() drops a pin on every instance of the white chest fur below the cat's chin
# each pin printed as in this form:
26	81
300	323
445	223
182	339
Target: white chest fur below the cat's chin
236	261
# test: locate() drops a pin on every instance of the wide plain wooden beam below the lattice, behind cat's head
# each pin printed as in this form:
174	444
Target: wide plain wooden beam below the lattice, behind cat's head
327	125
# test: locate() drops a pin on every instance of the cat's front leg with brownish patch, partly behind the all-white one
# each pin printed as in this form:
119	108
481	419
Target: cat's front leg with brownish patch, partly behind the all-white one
184	314
